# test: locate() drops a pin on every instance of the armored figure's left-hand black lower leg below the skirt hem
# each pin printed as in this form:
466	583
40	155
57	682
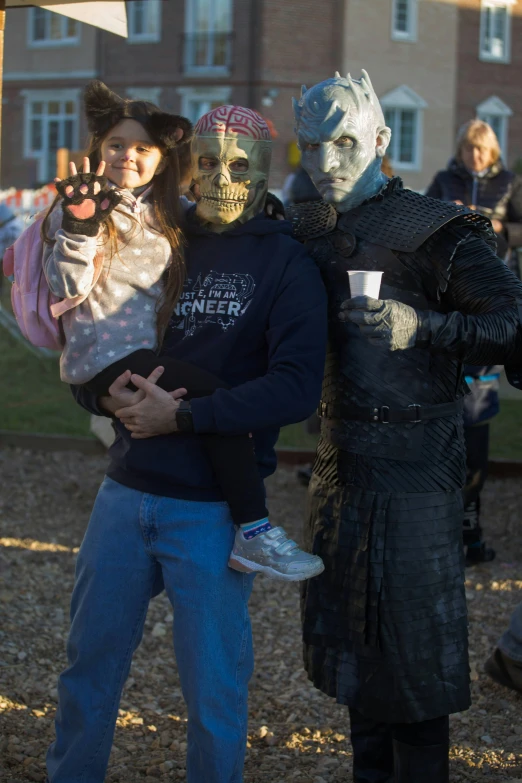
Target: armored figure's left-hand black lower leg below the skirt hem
372	750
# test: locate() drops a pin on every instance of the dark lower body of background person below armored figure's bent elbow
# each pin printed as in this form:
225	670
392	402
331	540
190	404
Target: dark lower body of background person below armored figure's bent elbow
479	408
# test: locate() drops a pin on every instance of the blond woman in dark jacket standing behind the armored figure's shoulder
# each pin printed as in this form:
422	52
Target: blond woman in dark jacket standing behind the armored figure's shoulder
477	178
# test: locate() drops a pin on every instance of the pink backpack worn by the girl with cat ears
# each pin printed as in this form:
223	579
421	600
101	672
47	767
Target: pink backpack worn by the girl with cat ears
37	309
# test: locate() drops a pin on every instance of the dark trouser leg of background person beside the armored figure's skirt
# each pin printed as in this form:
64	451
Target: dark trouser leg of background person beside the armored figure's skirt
477	453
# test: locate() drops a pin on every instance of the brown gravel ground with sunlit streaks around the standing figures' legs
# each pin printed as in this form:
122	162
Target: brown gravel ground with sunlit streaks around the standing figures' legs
296	733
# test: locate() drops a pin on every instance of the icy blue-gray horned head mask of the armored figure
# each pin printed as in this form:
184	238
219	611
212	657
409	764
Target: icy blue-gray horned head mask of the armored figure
343	137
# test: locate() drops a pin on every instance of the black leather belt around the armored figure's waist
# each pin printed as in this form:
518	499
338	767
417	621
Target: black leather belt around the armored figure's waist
384	414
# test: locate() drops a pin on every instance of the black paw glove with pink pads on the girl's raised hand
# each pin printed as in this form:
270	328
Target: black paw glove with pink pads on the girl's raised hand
87	201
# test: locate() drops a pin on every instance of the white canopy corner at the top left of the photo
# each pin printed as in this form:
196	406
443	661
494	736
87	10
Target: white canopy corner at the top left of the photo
109	14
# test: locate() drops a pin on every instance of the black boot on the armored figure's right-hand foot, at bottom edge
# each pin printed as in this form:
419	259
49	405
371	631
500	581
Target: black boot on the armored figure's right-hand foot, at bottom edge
421	764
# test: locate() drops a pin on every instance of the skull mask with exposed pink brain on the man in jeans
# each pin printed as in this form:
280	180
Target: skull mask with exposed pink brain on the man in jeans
231	153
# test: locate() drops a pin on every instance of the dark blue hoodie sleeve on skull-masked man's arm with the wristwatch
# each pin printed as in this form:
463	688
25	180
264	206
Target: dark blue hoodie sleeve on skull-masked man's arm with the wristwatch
296	338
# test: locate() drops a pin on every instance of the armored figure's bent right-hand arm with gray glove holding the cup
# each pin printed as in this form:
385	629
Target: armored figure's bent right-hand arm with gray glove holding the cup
483	325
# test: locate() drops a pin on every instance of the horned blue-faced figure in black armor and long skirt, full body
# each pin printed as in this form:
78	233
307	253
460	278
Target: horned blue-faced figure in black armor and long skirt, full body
385	626
